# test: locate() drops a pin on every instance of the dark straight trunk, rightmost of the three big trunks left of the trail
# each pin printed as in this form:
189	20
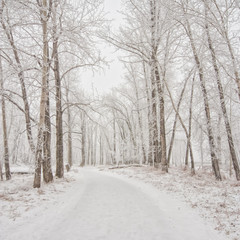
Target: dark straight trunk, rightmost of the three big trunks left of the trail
59	128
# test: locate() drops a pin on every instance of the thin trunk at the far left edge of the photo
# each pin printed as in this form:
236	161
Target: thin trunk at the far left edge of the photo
4	124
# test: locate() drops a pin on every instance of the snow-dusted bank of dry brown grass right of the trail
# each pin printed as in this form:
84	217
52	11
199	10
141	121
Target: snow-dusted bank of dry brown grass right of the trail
218	202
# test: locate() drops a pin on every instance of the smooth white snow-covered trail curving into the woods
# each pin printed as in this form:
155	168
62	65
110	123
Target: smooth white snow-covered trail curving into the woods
100	206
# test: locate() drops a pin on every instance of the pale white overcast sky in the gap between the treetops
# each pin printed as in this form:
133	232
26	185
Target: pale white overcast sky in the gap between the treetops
104	81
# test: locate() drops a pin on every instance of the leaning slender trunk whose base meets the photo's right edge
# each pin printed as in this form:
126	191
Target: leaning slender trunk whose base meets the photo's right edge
222	101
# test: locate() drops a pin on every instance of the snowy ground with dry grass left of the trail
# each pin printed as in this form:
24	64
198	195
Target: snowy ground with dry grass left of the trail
18	197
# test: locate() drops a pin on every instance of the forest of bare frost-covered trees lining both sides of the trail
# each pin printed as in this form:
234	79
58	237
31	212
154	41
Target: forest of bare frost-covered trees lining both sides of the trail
178	106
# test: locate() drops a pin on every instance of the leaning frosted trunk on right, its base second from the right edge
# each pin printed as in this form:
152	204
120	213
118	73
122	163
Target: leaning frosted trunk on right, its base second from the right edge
212	146
